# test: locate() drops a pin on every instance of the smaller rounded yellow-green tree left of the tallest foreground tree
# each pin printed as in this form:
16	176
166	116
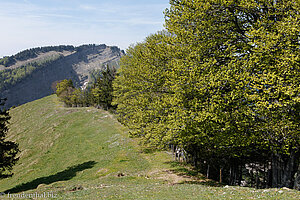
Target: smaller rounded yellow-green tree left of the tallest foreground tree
142	88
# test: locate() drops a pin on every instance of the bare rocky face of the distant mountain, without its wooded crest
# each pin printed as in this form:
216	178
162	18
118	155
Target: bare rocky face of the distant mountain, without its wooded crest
74	65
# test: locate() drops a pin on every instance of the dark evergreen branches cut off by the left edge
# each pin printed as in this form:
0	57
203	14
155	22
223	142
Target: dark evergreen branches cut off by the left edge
8	149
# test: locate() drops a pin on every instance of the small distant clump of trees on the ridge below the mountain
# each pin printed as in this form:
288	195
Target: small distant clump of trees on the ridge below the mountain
99	94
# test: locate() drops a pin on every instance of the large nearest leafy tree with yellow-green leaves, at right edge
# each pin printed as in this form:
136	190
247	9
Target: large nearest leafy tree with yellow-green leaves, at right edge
242	60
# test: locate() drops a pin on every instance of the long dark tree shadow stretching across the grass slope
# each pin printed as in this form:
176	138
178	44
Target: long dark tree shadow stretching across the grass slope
67	174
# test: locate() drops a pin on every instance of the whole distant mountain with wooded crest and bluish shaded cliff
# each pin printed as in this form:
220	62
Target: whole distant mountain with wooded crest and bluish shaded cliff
28	75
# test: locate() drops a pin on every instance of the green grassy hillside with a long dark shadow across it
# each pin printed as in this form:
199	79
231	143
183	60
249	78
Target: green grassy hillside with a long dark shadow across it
84	153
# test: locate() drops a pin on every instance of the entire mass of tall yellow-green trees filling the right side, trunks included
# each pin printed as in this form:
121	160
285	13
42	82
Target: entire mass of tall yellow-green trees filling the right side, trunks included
222	82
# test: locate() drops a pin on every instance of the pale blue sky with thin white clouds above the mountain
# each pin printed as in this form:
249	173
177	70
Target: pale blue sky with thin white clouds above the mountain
32	23
